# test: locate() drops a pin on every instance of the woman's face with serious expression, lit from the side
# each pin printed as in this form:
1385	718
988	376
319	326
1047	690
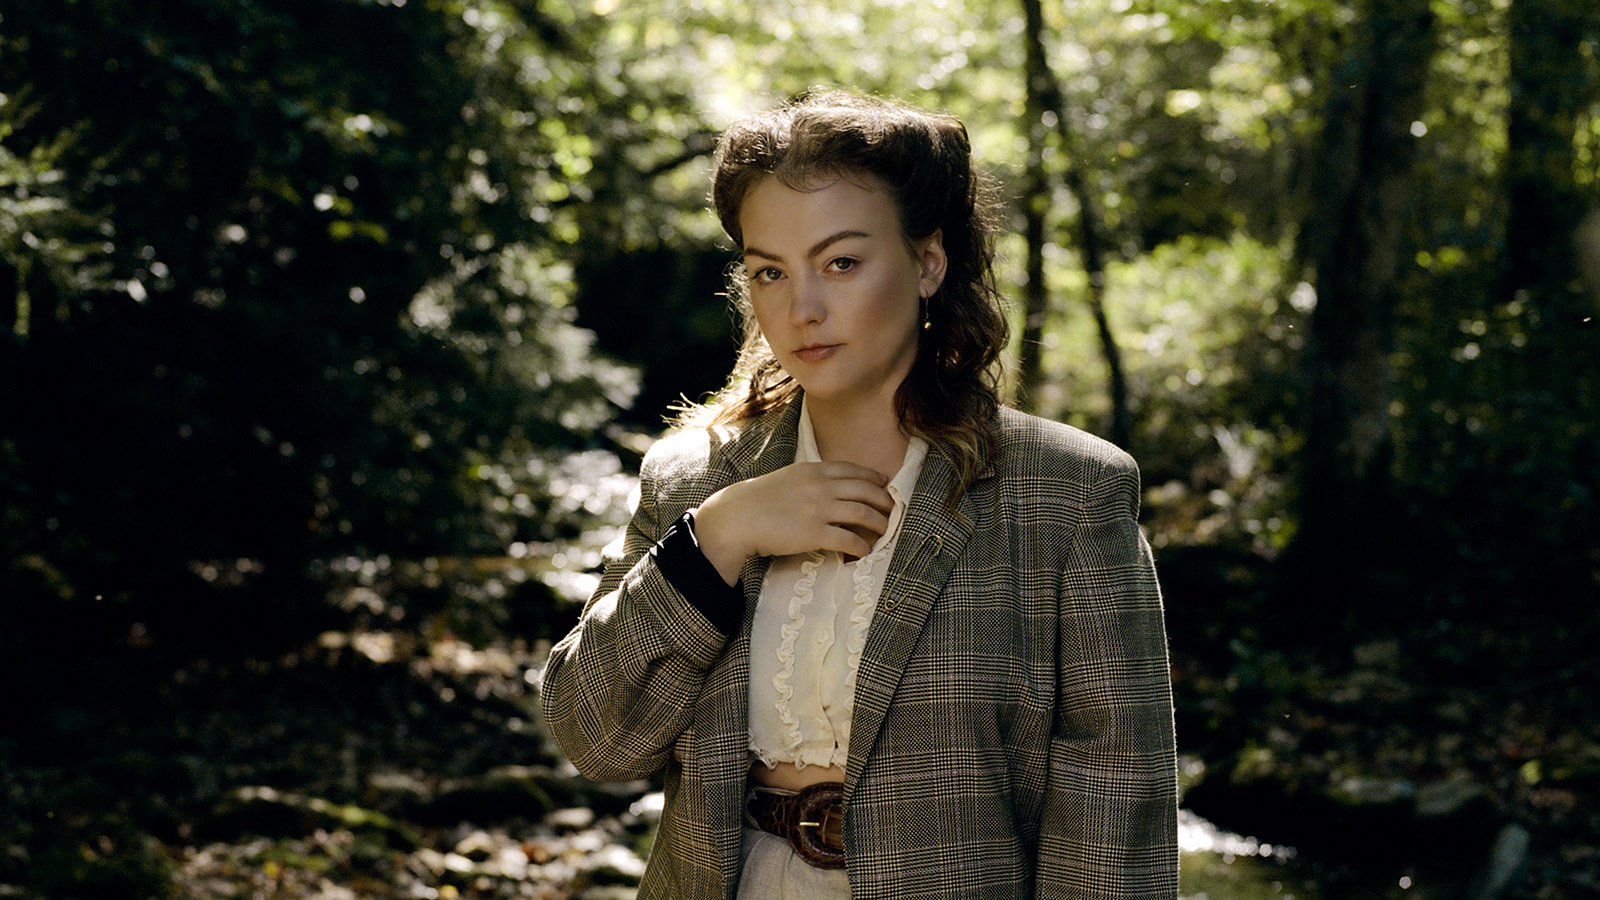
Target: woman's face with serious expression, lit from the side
834	286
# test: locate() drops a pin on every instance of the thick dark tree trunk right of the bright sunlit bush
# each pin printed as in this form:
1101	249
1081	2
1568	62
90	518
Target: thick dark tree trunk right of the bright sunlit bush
1353	241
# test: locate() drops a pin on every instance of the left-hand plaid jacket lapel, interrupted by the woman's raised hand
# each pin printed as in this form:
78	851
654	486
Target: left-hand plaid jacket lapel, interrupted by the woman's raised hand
722	725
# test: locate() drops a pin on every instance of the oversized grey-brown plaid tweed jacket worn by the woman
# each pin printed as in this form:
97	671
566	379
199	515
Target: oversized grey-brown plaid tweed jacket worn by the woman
1014	721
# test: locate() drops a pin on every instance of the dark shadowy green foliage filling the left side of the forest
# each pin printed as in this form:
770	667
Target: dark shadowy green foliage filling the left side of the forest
327	279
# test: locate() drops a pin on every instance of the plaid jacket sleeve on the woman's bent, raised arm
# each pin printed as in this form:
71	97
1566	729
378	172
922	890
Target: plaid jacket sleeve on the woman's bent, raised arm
622	686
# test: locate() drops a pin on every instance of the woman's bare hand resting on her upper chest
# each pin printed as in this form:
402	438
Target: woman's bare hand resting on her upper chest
801	508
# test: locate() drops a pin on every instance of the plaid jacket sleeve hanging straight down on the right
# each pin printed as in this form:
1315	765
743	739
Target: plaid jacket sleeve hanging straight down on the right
1110	827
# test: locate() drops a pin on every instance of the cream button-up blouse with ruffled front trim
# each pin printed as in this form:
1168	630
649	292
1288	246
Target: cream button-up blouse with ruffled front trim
810	627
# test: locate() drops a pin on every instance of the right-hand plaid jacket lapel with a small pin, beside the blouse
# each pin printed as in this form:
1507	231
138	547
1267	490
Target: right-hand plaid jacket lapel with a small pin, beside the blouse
930	542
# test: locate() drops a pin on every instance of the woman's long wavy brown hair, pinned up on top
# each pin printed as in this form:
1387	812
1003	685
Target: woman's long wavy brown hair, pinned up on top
951	395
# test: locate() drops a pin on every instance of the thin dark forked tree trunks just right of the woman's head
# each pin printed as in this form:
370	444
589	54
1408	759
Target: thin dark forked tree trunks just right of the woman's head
1046	100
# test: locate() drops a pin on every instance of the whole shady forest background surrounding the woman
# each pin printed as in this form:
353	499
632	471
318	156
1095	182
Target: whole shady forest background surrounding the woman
332	334
